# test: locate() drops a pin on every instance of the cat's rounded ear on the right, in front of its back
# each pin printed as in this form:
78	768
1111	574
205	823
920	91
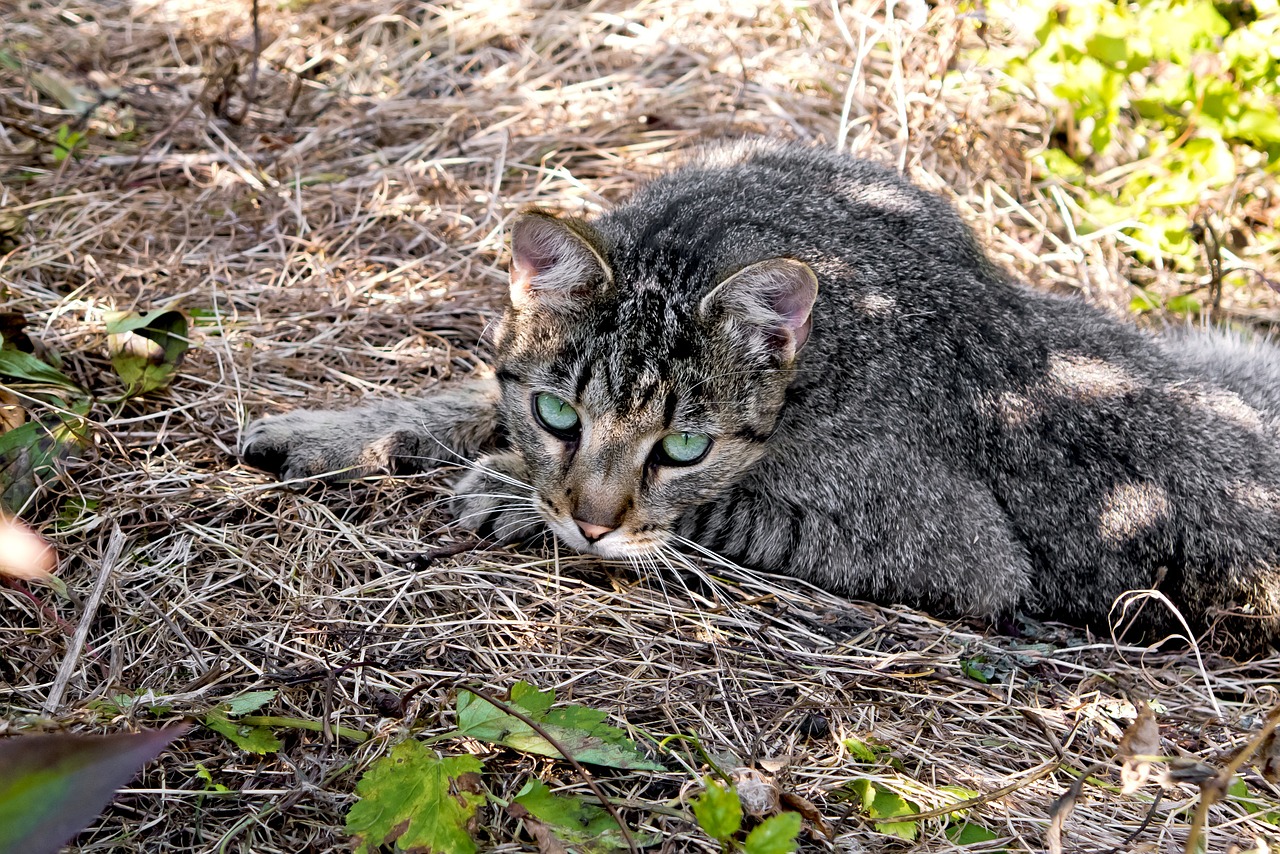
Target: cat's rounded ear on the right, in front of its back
771	303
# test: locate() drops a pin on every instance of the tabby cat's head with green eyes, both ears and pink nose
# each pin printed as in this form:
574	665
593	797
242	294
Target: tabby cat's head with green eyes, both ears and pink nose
636	399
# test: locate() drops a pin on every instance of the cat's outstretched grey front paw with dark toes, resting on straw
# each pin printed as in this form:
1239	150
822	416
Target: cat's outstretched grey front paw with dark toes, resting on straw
330	445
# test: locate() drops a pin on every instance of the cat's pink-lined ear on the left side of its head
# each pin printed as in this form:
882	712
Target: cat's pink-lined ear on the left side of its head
554	263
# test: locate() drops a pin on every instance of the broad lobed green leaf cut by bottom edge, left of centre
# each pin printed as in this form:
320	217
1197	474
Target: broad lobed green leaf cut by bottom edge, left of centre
413	800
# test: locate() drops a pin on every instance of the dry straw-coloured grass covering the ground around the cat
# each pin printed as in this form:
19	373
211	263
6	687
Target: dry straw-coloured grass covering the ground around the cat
339	218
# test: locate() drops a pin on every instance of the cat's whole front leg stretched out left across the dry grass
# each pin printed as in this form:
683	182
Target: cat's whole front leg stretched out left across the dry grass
399	436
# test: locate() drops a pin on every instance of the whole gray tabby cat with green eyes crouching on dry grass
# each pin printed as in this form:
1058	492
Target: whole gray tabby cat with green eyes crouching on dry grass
806	364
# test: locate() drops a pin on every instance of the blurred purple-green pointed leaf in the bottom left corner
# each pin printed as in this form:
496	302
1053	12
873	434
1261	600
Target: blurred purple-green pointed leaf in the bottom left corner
54	786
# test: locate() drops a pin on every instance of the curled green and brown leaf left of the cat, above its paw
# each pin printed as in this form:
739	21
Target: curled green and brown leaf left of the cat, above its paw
147	350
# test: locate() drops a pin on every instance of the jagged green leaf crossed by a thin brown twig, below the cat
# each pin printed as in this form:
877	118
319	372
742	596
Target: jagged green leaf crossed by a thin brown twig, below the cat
580	730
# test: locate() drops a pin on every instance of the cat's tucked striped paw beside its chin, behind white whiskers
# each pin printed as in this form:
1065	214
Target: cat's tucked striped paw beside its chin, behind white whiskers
495	501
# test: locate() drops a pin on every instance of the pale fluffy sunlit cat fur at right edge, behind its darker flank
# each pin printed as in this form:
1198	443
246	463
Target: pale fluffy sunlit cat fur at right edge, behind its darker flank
1249	366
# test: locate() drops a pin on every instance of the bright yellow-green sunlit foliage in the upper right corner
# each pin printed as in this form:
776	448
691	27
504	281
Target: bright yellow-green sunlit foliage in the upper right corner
1177	94
